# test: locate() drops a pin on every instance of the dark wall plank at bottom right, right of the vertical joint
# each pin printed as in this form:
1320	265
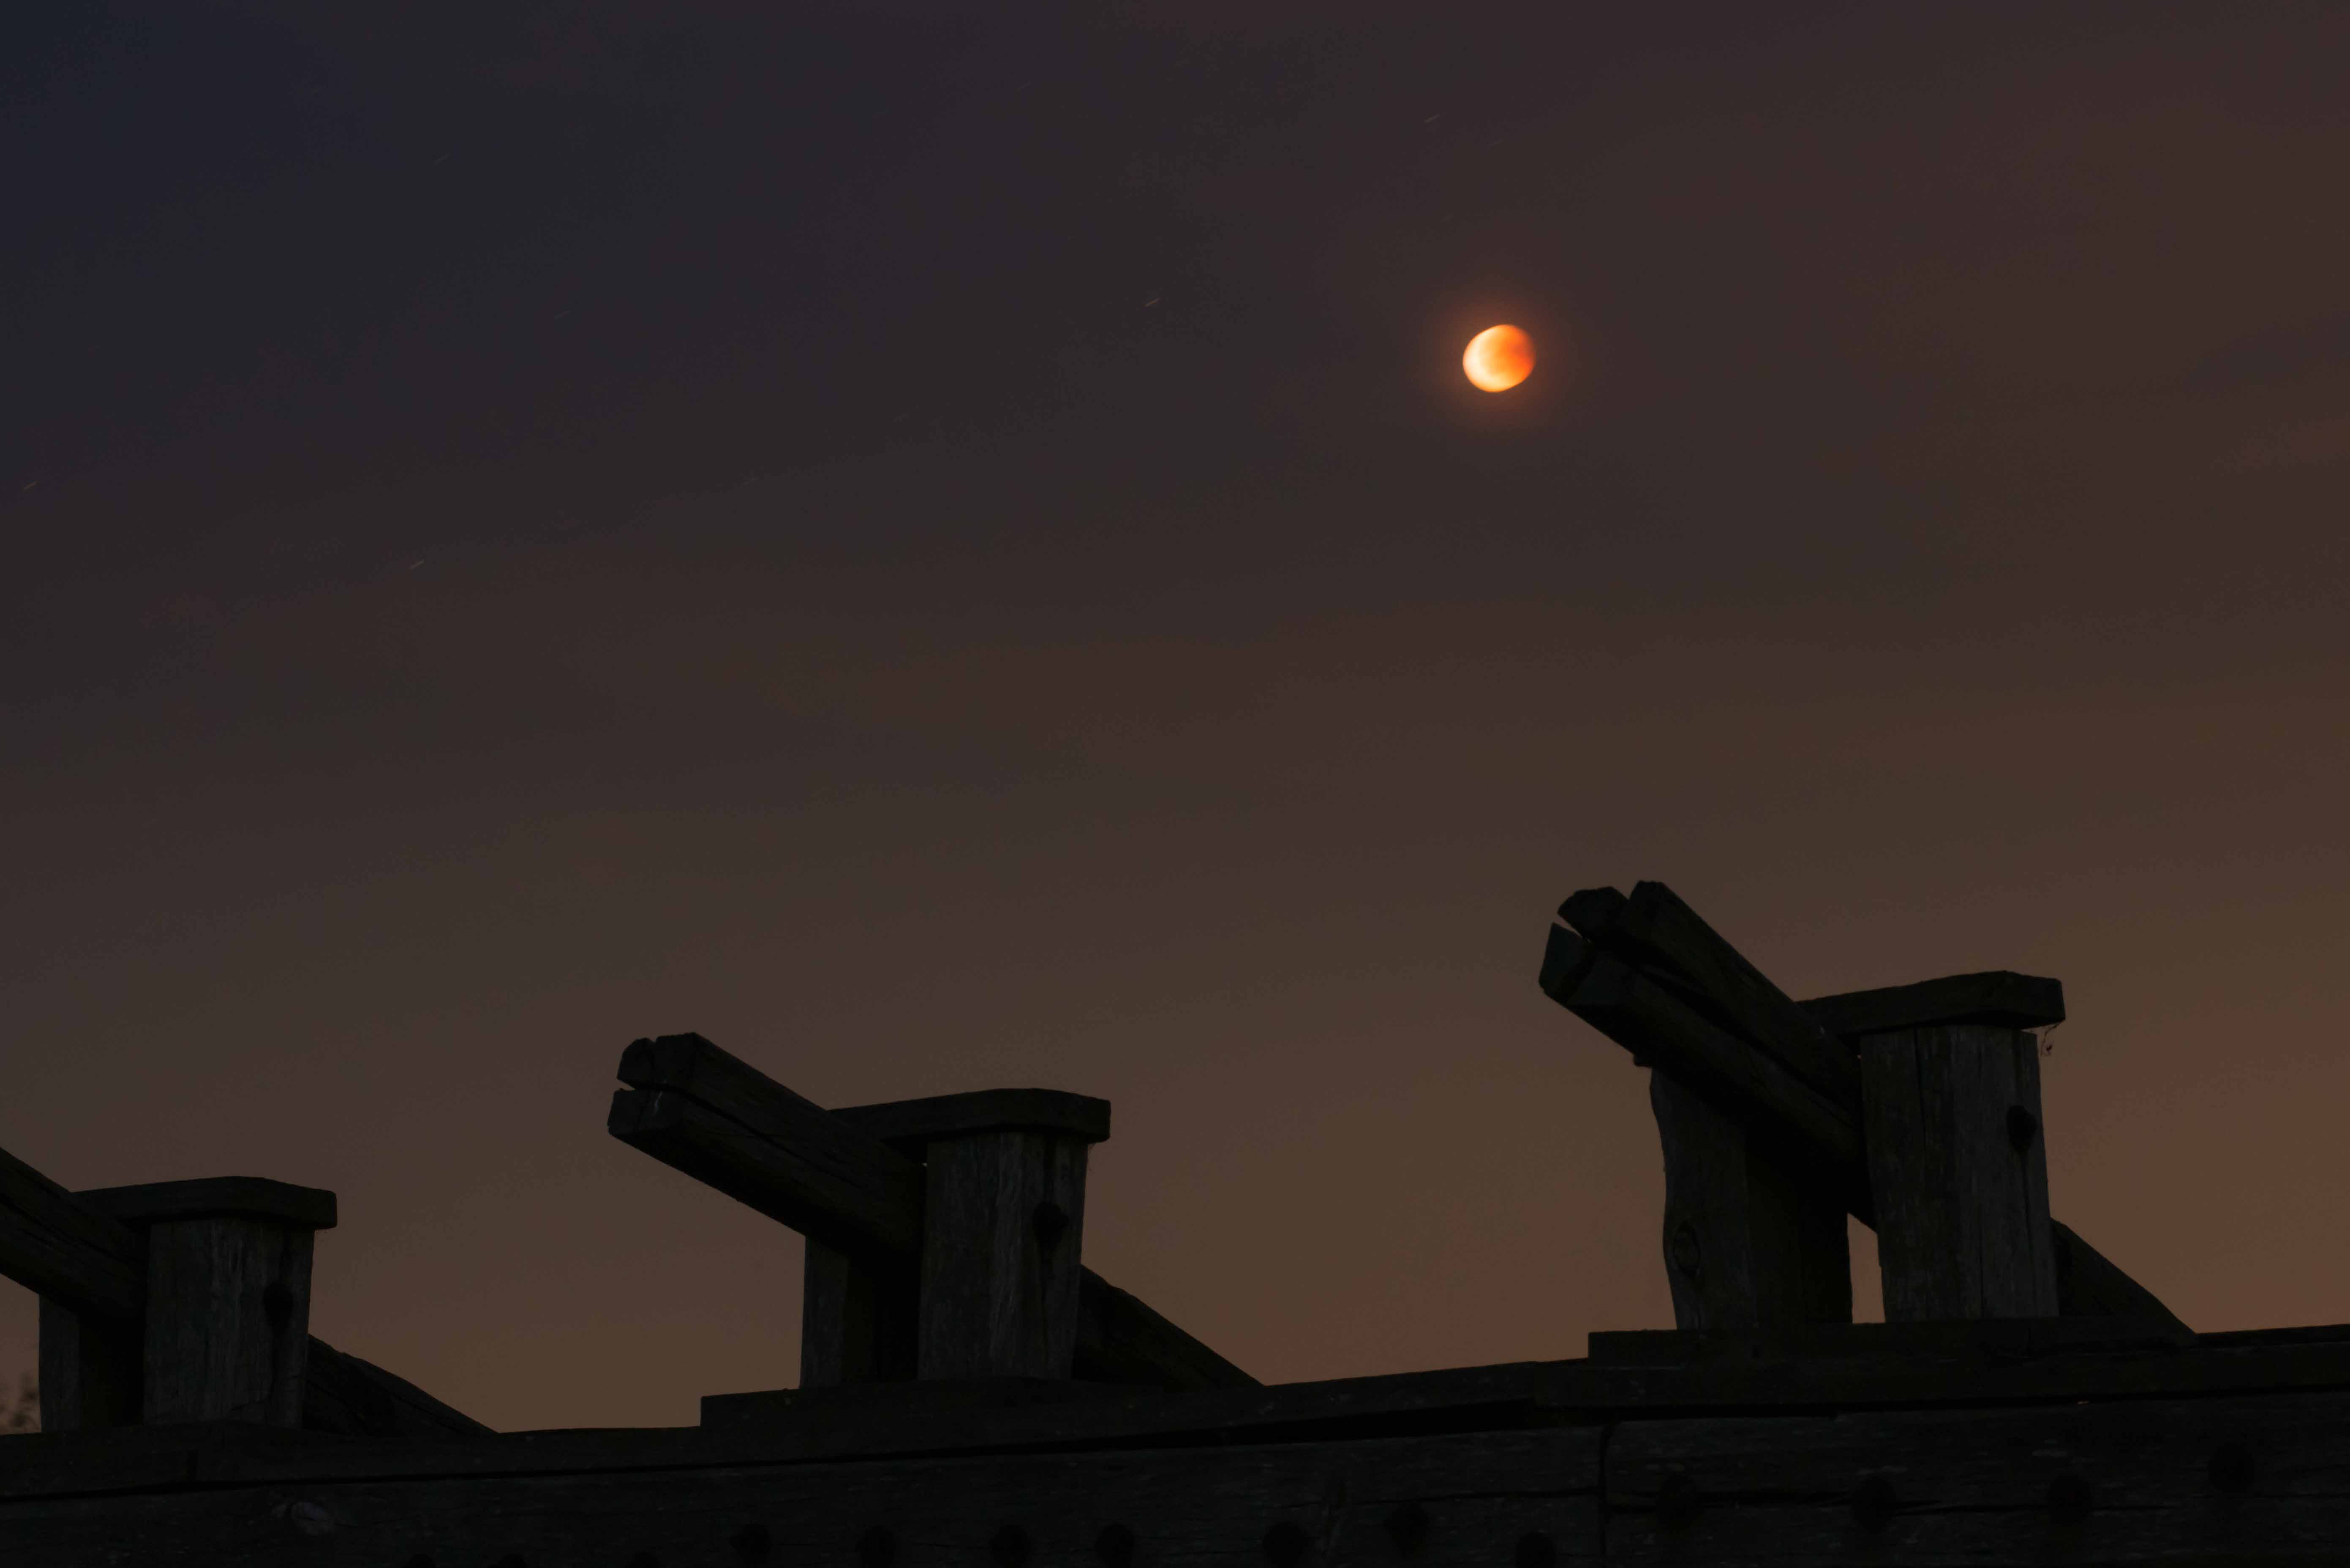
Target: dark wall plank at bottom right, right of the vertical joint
2130	1482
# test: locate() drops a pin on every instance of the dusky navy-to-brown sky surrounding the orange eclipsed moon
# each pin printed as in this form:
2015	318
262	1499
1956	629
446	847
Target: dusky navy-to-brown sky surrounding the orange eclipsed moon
948	547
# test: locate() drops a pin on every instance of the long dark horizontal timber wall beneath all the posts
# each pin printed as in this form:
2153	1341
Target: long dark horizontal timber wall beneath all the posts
1898	1449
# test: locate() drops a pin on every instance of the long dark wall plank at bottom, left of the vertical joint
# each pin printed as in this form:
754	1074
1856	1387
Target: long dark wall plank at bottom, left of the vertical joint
1482	1501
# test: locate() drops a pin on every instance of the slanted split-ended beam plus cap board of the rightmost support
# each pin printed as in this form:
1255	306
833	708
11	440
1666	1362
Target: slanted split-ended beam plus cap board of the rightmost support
1651	974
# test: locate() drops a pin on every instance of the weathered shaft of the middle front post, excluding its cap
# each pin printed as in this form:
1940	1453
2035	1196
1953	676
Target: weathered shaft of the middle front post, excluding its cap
1002	1228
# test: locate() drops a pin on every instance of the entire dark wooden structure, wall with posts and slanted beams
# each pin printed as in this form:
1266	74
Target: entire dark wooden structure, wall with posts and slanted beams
974	1395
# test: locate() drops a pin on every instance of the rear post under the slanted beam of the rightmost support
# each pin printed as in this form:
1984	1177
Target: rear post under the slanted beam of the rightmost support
1754	1242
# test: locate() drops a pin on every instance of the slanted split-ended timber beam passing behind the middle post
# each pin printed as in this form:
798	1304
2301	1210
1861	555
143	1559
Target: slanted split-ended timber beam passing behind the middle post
727	1125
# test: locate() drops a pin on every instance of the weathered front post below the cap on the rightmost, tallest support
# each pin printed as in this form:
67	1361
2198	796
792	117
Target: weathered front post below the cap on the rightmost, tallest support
1959	1172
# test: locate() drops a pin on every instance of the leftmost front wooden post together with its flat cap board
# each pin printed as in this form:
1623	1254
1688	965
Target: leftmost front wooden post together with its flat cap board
229	1294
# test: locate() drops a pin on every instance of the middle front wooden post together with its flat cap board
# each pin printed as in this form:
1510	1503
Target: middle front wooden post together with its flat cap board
1005	1219
